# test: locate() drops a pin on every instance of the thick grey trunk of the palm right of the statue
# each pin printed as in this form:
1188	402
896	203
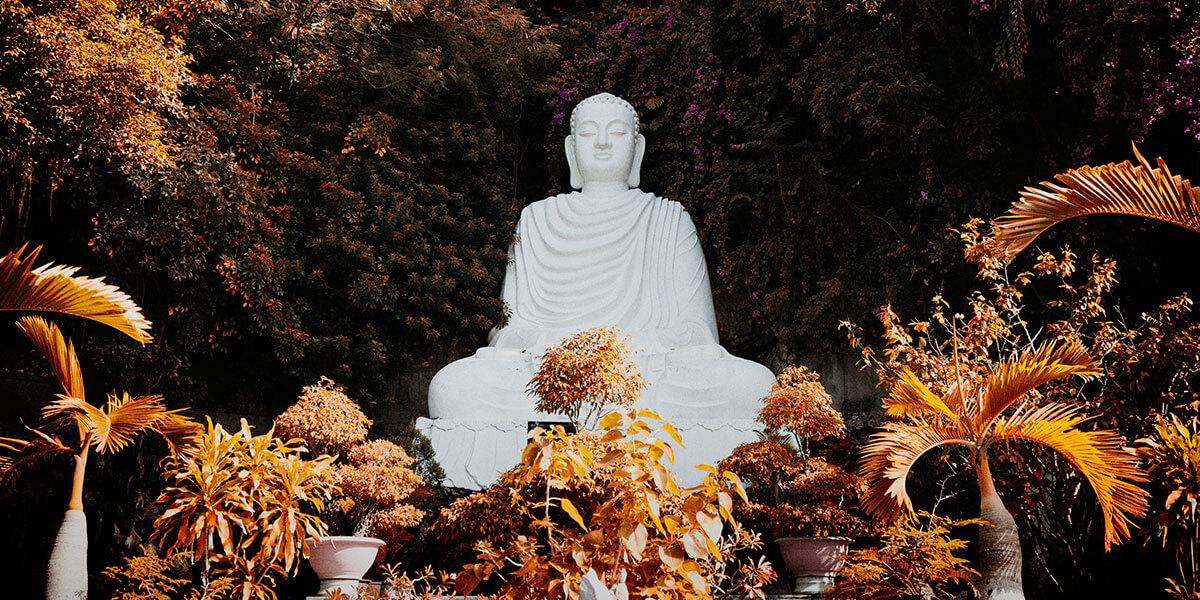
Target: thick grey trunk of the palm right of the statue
1000	547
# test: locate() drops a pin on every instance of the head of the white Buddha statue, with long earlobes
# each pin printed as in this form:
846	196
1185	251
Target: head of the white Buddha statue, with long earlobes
605	149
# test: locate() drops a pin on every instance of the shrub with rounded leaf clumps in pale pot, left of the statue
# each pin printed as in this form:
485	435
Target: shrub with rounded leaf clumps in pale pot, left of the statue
376	485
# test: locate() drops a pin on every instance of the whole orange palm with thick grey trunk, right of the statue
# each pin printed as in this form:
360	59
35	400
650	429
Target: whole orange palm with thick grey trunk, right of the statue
981	411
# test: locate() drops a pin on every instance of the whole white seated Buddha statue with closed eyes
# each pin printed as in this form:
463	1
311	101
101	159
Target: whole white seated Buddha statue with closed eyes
607	255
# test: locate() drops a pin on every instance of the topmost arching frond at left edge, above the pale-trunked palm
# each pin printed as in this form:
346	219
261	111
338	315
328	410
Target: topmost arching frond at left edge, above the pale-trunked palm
57	289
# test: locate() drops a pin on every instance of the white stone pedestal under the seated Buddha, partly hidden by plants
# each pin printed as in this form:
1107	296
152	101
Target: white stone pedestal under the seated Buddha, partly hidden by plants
473	454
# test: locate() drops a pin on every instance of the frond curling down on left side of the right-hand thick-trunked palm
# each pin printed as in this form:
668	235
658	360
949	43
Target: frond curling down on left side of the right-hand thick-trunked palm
889	457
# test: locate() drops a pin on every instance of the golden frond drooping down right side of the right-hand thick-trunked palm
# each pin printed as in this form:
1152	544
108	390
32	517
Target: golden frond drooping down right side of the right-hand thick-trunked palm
1101	457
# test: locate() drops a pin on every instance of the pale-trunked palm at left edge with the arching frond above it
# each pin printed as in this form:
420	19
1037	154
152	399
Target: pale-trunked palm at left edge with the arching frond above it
109	429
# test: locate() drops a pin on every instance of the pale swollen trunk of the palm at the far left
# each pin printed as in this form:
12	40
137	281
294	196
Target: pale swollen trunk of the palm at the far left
67	578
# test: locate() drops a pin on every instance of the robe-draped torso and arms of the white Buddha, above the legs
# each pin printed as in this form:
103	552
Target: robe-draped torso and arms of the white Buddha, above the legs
629	260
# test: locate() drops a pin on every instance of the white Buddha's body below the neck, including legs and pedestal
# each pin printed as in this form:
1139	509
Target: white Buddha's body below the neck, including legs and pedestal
629	261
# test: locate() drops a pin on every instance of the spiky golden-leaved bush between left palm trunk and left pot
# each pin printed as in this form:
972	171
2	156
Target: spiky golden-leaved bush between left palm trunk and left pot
243	506
